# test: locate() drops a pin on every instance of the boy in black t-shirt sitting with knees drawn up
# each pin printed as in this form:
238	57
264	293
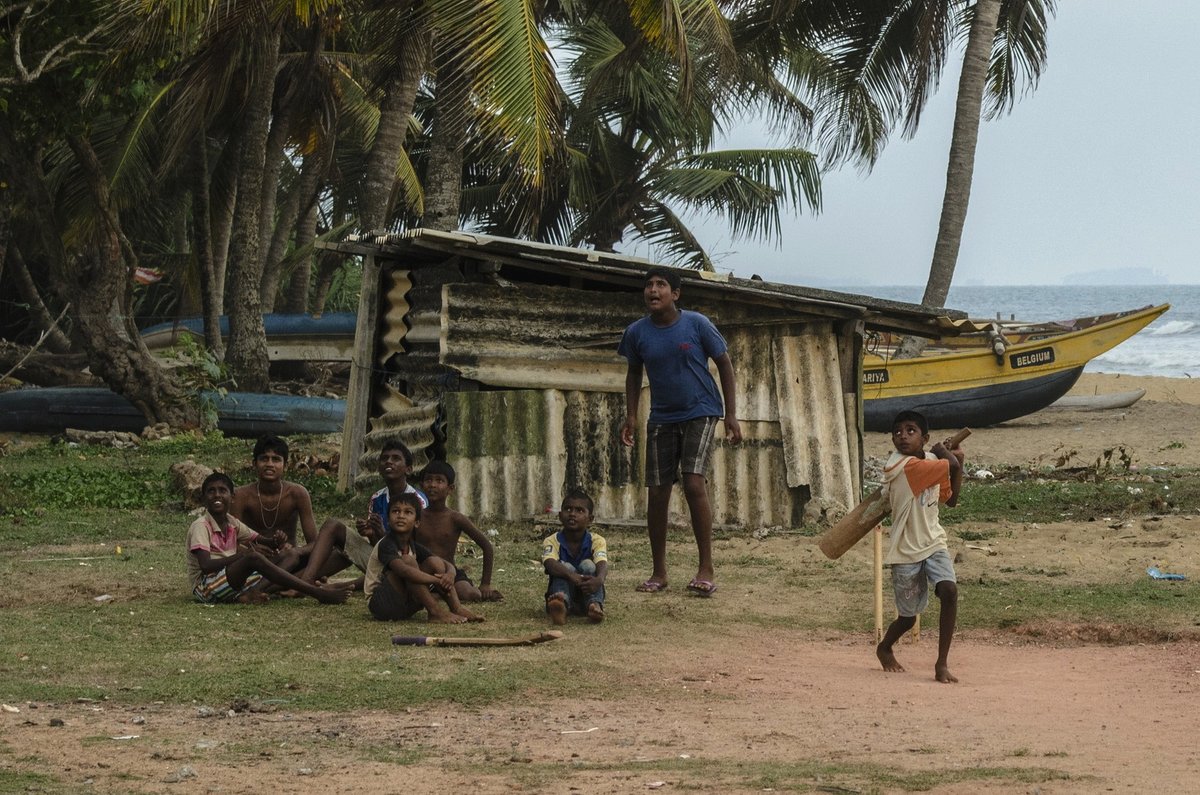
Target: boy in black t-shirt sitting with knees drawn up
404	577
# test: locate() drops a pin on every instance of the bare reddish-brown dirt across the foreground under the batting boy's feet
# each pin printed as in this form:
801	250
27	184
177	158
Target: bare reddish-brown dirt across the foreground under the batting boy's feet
755	712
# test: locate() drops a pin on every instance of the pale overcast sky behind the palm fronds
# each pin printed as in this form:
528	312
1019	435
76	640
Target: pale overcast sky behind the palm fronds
1099	170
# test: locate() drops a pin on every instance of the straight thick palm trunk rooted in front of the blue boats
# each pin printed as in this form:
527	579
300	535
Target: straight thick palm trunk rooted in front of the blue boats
247	352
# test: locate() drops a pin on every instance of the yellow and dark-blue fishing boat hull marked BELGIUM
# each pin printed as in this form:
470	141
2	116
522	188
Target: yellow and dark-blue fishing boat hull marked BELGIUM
987	386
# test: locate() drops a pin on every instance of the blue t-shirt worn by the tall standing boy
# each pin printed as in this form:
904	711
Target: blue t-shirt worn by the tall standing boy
676	362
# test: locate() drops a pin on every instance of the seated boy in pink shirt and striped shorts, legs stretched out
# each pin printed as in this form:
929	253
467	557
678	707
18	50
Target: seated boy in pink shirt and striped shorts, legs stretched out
224	564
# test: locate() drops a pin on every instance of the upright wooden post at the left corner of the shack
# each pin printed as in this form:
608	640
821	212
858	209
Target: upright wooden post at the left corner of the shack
358	397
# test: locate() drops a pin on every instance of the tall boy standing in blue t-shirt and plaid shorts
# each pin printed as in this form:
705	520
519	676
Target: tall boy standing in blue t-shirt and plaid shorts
674	346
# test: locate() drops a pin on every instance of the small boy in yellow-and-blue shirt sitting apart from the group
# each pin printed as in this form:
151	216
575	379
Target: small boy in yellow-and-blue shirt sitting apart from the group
577	561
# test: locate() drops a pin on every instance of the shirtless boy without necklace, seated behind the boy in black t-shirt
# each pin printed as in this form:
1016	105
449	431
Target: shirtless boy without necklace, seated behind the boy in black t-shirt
442	528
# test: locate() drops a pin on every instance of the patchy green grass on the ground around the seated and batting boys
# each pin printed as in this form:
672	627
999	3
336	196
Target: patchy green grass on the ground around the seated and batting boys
67	510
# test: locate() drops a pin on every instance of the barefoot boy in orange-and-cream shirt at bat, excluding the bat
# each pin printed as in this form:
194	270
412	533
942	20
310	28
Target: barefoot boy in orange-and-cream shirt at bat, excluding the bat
916	483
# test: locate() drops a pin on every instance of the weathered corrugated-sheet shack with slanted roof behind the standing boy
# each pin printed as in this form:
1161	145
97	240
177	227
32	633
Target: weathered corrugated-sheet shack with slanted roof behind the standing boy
501	356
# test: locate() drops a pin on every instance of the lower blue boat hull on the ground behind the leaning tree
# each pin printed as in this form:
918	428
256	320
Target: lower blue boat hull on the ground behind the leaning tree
247	415
